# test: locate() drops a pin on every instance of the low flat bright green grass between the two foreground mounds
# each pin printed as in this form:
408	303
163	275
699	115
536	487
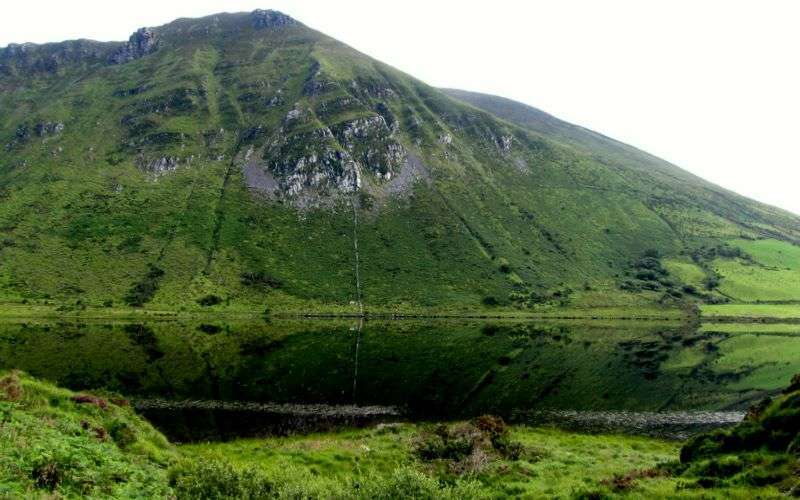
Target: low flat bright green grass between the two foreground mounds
548	463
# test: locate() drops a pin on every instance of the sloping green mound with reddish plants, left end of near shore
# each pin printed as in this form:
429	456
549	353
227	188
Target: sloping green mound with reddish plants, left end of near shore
55	443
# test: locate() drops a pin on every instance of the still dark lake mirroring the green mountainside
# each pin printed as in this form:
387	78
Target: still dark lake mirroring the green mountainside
219	378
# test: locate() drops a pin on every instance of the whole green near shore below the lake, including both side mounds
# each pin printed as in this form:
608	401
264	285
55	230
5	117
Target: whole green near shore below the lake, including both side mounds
56	443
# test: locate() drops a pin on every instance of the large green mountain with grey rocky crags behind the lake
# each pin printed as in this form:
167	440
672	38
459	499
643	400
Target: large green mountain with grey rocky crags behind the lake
249	160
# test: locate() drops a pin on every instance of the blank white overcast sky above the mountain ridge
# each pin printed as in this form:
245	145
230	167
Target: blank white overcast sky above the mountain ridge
712	86
